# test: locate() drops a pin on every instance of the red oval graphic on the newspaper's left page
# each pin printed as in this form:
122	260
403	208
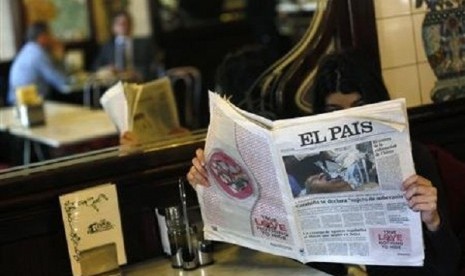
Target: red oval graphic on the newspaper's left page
230	176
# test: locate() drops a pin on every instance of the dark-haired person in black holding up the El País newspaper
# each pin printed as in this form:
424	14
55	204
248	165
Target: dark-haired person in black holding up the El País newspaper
342	82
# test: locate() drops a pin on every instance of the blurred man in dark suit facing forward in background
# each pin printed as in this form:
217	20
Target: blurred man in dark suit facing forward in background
125	56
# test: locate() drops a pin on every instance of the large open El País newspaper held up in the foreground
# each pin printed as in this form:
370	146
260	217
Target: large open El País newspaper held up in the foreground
323	188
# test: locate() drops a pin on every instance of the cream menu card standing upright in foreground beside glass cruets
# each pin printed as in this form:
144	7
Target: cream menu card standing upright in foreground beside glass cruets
92	221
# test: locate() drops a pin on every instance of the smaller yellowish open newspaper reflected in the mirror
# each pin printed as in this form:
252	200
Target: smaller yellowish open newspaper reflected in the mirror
149	110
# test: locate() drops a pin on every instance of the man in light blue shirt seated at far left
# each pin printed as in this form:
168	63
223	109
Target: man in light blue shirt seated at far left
35	64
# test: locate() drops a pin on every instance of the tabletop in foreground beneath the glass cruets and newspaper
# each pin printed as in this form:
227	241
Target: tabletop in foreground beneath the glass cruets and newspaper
229	260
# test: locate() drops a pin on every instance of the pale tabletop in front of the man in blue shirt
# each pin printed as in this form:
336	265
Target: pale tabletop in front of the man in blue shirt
65	124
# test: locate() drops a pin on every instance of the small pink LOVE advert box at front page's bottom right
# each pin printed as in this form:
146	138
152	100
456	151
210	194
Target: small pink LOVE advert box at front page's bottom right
393	240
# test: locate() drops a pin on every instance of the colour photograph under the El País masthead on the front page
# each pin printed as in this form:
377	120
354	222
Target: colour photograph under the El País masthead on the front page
348	168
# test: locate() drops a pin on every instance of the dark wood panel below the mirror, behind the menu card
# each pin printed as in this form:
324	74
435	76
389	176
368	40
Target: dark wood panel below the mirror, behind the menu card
32	238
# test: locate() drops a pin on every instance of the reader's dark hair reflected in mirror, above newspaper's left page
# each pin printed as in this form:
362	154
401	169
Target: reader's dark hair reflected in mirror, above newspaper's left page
239	70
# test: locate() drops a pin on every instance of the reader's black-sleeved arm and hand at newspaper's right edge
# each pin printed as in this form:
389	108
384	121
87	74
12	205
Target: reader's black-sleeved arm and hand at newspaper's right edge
424	194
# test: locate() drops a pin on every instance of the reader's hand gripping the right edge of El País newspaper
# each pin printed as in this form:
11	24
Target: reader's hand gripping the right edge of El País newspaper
422	197
